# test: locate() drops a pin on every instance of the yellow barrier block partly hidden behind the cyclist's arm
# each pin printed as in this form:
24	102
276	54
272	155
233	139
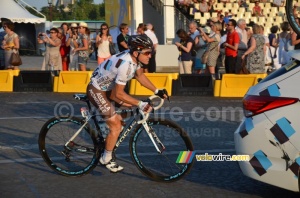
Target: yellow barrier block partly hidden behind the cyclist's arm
160	80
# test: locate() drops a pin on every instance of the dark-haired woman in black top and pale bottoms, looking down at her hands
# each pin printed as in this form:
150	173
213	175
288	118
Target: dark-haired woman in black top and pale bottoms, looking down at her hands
184	47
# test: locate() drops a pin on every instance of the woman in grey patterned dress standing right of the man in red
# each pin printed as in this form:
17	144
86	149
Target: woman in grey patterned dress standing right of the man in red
255	53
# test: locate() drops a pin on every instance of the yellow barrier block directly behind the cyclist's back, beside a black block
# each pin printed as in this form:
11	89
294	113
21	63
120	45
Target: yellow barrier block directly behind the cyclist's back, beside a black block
72	81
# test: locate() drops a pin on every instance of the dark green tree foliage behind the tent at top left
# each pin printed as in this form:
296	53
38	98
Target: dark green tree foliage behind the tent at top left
81	10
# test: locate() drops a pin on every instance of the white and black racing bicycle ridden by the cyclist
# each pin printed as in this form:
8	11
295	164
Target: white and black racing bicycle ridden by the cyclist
72	146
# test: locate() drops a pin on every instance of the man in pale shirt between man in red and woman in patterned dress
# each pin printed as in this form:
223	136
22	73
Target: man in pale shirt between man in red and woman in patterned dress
243	44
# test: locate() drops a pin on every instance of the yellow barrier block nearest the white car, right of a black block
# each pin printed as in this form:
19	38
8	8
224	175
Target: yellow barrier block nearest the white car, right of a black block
235	85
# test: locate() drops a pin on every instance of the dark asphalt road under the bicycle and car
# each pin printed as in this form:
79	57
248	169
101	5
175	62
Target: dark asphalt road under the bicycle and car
209	121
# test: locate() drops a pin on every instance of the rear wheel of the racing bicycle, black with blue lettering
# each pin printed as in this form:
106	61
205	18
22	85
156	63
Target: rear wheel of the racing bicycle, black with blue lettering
52	138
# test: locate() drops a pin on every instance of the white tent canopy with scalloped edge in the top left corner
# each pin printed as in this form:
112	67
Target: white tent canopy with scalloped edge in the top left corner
11	10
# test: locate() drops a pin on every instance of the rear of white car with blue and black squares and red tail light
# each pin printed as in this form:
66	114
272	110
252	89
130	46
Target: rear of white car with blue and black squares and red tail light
270	131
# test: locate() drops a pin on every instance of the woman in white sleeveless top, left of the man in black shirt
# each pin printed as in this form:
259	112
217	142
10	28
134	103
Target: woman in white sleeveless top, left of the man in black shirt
103	40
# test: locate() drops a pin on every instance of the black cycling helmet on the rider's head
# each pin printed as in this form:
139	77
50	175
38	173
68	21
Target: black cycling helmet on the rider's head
139	42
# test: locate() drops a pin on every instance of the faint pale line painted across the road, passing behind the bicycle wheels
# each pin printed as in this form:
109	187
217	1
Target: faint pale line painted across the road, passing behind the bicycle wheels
38	159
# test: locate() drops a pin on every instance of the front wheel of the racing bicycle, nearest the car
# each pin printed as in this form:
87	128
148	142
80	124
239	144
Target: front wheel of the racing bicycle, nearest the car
161	167
